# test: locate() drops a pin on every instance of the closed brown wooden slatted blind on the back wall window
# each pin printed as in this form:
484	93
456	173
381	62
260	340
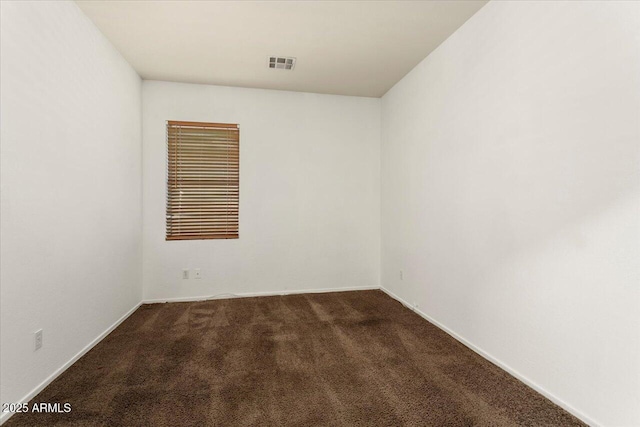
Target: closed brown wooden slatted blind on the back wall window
202	180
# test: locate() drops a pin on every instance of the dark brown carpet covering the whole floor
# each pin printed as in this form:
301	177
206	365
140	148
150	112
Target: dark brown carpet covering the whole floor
334	359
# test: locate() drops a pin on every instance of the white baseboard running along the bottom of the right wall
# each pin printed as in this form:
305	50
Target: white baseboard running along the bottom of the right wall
564	405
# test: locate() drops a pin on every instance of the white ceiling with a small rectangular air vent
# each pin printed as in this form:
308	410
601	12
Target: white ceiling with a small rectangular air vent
342	47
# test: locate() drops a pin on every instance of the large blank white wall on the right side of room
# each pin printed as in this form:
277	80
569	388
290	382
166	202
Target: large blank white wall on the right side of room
510	195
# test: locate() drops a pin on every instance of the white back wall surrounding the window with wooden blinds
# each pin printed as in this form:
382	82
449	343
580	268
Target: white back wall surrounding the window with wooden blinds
309	192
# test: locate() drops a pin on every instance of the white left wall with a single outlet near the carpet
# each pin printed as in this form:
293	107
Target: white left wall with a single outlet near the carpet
71	189
